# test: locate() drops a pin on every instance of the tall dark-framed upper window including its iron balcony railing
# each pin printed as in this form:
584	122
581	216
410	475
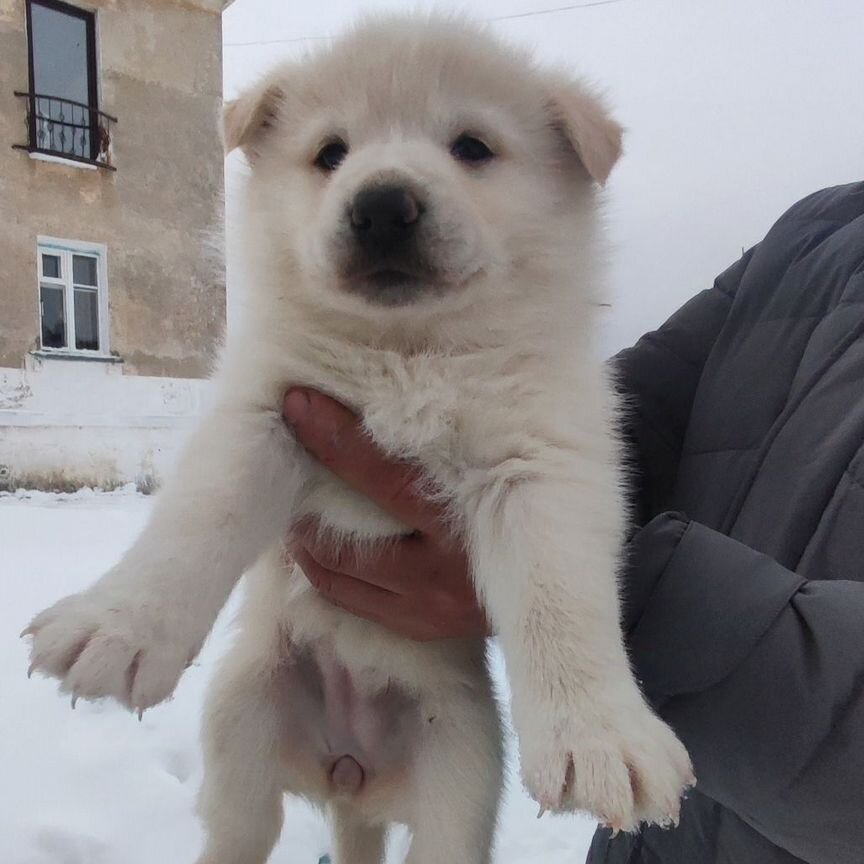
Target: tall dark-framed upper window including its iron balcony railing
64	118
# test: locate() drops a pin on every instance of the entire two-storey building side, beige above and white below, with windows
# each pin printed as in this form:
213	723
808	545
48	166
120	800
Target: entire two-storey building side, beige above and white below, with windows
112	290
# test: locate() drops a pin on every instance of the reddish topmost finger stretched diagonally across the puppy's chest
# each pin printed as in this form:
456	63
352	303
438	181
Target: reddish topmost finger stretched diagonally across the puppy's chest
336	438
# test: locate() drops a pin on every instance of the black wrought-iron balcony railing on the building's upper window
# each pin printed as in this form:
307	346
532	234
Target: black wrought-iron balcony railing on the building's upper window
71	130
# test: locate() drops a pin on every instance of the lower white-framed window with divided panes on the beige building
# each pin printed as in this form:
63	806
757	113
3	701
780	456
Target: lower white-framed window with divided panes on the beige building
73	296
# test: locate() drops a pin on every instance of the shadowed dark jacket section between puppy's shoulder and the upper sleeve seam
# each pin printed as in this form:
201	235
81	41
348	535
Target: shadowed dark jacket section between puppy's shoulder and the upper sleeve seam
657	379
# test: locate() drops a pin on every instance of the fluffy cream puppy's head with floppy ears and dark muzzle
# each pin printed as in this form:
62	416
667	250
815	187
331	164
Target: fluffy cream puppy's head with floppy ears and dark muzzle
415	161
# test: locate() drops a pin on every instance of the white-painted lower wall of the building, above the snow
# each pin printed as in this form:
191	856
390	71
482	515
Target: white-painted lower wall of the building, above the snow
70	423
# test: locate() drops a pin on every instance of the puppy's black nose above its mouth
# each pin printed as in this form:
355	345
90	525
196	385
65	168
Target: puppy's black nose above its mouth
383	218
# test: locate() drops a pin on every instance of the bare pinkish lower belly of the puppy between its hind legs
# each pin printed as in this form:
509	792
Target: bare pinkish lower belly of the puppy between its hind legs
347	739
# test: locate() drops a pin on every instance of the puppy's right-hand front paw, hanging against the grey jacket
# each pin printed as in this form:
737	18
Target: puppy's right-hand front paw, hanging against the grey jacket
622	769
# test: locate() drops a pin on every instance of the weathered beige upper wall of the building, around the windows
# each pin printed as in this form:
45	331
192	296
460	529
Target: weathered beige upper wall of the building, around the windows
160	74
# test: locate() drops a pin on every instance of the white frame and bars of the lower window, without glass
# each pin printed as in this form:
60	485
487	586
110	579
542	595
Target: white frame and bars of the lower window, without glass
65	249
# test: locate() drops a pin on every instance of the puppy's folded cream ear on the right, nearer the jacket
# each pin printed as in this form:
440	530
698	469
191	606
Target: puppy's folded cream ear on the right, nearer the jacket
586	125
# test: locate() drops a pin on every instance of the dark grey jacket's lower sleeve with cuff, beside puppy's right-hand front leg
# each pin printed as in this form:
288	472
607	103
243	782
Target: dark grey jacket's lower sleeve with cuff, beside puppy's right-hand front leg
761	673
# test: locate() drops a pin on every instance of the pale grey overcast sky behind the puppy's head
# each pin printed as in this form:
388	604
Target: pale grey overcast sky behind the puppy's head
734	110
